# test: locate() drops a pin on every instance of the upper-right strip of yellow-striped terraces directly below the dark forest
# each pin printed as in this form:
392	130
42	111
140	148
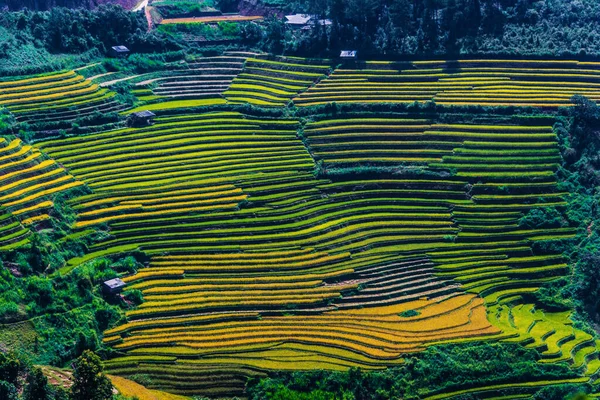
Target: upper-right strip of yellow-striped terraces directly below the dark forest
531	83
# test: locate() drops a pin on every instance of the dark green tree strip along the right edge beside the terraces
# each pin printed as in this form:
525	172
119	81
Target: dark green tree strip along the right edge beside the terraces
579	139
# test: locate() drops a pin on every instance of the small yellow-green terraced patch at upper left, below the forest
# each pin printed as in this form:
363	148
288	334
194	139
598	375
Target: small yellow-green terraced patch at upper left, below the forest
60	96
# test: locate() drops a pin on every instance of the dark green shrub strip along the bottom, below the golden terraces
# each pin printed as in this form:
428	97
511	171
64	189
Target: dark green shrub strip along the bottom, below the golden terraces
439	368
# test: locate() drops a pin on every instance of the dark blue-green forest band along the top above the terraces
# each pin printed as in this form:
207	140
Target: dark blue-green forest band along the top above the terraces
378	28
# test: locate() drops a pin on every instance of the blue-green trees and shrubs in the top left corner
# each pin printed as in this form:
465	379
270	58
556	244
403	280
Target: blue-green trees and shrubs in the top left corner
29	41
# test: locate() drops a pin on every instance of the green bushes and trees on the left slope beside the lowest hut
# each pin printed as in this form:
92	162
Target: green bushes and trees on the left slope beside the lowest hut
71	314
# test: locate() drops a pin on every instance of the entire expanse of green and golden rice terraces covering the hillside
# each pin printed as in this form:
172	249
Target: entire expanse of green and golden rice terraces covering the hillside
379	233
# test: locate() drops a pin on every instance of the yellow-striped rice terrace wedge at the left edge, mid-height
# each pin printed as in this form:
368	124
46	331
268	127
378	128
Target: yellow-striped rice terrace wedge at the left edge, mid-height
28	181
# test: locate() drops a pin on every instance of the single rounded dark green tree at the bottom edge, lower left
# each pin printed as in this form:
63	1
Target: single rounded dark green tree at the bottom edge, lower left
90	383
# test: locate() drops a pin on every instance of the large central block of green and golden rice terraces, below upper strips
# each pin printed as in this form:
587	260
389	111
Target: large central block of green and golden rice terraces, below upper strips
241	235
